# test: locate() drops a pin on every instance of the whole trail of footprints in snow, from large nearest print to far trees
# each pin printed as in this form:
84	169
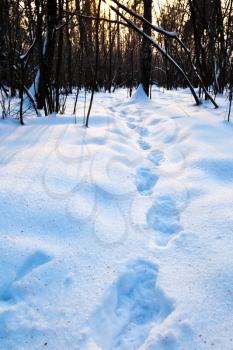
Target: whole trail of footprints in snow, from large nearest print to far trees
134	303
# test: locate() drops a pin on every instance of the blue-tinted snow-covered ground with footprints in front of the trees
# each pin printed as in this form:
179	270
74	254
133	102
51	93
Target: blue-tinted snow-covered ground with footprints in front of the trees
119	236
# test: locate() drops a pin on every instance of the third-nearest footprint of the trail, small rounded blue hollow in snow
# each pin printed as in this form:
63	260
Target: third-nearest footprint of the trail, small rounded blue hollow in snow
145	180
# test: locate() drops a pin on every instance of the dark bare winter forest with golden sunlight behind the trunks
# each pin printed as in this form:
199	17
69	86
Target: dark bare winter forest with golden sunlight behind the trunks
49	48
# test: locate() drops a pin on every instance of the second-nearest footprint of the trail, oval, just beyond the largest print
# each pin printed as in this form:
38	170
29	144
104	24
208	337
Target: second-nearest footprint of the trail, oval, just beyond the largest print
164	218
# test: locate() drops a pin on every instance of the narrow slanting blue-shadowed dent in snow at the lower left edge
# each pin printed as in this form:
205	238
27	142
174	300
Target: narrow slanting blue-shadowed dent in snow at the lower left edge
13	290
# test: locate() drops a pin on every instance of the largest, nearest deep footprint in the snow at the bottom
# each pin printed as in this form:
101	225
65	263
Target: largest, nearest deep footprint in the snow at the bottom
132	306
